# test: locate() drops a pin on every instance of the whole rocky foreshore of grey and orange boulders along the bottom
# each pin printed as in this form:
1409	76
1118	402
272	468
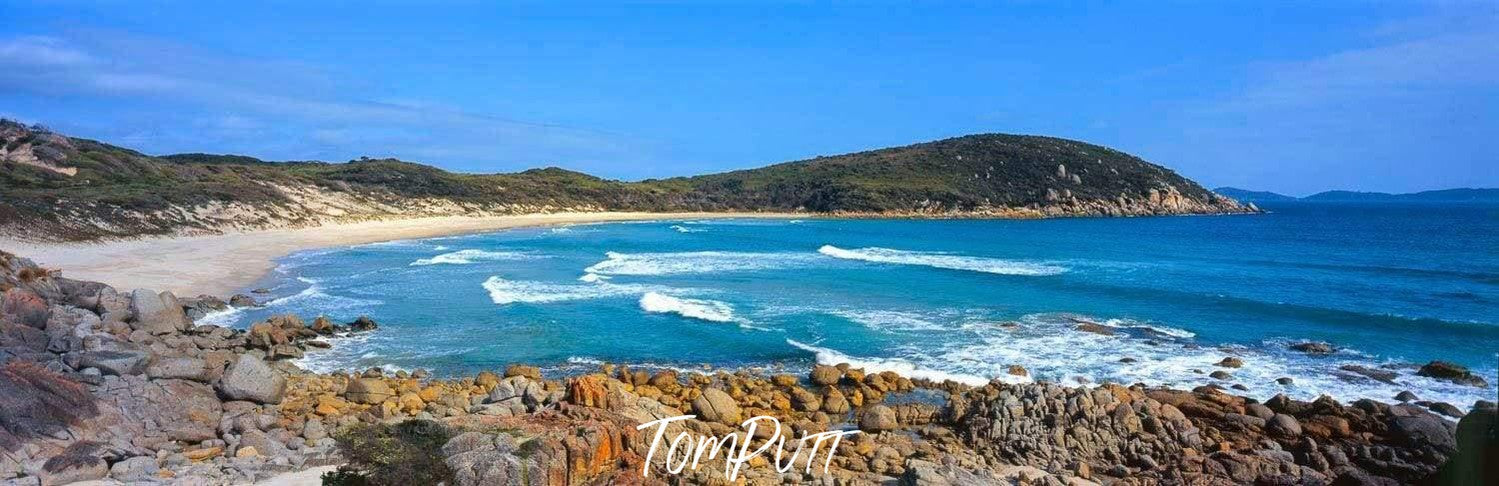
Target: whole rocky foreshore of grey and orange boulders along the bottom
101	385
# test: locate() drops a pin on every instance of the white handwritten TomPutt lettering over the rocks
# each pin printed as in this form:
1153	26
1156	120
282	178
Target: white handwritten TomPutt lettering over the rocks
738	454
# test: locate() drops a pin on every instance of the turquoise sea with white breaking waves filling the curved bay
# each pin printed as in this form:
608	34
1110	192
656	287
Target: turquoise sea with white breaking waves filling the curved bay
941	299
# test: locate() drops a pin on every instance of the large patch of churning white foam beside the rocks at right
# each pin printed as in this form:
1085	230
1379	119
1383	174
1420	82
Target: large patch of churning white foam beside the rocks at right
1052	349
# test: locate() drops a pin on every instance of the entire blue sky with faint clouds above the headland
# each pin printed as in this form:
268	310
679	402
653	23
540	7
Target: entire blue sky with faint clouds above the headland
1269	95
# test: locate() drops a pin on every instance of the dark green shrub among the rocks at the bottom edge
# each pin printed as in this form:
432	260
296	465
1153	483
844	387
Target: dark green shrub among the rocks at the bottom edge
398	455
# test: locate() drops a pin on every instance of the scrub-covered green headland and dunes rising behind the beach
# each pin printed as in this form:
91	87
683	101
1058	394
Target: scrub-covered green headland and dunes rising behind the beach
61	188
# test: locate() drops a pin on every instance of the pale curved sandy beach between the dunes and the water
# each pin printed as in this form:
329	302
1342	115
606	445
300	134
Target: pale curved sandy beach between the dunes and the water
224	265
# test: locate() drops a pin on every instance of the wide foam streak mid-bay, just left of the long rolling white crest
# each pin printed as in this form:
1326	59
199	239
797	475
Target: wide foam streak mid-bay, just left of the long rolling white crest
681	263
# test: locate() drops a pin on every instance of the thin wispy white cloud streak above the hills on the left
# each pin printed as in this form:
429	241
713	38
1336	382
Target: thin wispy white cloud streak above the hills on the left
227	103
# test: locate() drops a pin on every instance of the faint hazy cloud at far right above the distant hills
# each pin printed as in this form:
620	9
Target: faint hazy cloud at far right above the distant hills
1405	103
